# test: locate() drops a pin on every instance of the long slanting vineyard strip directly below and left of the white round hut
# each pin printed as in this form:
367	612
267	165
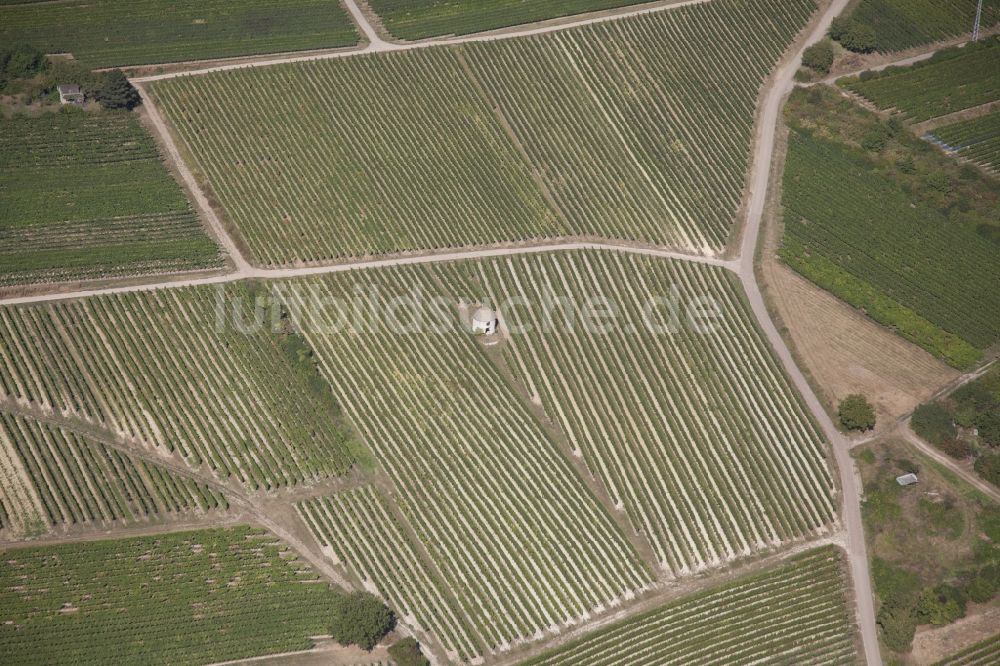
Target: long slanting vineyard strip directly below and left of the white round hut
514	532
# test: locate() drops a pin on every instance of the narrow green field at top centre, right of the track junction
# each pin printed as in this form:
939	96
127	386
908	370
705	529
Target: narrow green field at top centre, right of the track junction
417	19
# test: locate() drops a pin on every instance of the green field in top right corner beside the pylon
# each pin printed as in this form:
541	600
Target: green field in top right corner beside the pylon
902	24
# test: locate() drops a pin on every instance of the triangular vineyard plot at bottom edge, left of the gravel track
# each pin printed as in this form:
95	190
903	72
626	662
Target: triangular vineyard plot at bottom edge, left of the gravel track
795	613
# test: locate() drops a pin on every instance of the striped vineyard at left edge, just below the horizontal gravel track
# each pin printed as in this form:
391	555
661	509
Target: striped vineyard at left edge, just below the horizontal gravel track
164	369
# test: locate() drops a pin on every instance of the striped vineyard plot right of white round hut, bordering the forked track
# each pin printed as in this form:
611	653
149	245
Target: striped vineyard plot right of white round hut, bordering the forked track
697	436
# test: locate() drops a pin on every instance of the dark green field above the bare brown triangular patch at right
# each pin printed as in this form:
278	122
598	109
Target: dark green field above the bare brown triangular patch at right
854	226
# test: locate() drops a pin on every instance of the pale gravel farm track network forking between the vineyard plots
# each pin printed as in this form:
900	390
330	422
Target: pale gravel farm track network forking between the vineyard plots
741	262
